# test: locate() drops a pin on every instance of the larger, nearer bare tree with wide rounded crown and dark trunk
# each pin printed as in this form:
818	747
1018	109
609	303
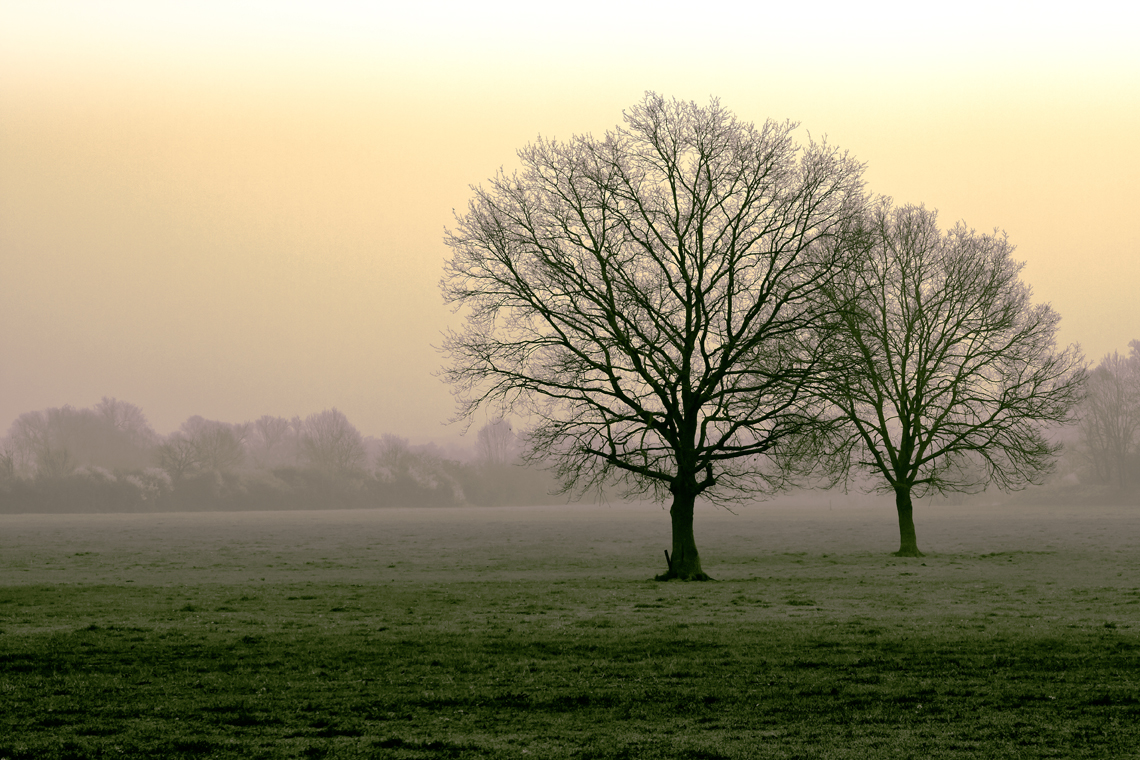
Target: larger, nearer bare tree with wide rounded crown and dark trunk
642	301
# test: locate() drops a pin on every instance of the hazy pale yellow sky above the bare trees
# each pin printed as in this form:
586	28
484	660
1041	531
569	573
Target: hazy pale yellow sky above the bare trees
235	209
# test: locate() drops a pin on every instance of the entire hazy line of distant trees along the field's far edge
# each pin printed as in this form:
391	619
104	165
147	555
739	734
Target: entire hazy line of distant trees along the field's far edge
109	459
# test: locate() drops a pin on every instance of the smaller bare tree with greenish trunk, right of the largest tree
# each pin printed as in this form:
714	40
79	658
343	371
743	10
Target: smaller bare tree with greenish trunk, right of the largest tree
947	373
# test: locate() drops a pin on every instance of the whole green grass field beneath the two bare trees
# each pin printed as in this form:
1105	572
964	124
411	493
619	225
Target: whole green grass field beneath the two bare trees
535	633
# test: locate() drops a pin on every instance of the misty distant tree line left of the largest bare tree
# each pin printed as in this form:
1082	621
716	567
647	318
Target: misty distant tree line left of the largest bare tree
109	459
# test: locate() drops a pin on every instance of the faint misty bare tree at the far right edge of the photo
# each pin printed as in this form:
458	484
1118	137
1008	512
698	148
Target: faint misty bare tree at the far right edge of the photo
1111	415
